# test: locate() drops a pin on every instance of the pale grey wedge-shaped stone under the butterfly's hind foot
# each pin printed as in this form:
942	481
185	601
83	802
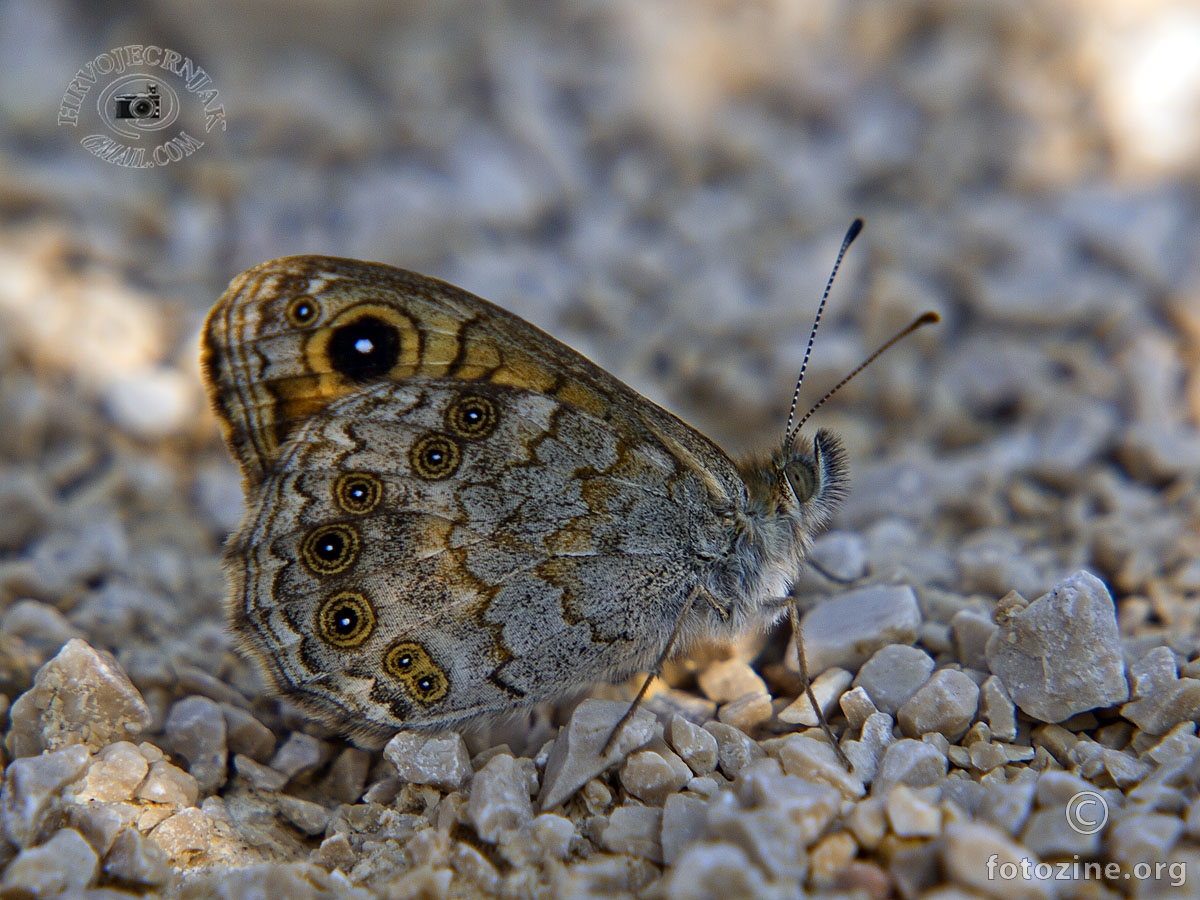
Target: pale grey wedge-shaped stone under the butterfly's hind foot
577	758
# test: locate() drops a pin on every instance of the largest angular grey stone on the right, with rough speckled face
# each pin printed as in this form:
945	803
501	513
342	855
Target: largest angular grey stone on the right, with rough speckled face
1063	655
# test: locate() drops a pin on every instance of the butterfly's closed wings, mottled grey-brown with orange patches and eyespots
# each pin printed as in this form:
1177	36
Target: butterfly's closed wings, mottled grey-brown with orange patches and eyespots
452	513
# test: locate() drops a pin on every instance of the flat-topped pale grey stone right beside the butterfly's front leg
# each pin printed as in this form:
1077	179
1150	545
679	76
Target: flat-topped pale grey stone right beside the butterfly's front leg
847	629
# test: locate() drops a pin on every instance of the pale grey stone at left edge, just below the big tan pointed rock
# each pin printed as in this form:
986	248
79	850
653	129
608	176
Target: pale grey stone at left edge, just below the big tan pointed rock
32	796
